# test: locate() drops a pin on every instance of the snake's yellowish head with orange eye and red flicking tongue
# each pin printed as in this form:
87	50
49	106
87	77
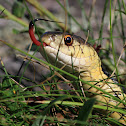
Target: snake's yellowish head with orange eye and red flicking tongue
67	49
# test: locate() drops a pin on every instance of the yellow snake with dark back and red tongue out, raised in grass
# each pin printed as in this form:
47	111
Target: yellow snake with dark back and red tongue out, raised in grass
75	53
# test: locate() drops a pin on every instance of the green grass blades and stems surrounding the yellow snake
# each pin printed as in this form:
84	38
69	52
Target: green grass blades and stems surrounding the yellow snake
52	105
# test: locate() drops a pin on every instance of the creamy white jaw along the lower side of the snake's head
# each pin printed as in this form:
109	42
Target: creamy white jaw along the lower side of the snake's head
62	59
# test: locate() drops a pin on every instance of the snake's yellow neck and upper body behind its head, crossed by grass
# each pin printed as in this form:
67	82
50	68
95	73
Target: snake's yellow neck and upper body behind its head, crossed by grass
97	77
